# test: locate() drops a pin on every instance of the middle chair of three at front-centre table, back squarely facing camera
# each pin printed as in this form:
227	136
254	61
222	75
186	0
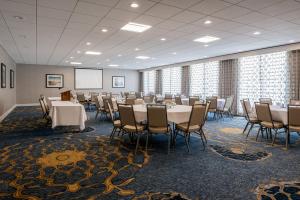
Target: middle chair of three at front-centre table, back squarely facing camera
158	122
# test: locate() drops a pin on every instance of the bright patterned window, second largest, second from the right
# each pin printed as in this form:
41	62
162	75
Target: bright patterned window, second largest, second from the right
204	79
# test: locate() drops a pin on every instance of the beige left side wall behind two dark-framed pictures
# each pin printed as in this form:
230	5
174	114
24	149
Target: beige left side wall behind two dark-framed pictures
7	95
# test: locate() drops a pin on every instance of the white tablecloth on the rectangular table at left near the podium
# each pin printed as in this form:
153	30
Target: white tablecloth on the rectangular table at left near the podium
66	113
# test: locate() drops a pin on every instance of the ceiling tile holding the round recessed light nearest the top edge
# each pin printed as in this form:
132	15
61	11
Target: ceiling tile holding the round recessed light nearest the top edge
144	5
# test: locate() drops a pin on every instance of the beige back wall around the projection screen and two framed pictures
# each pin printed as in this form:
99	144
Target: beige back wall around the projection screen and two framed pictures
31	81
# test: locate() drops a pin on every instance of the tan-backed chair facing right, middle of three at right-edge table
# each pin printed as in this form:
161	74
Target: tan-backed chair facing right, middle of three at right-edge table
266	121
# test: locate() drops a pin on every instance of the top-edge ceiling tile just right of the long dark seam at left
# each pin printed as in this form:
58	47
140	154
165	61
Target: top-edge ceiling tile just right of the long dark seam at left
68	5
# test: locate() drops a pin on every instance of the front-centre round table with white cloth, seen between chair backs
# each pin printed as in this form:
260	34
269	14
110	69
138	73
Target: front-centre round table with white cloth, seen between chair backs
176	114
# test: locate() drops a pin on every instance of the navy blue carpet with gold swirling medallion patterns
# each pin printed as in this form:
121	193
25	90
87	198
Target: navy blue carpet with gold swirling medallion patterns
37	162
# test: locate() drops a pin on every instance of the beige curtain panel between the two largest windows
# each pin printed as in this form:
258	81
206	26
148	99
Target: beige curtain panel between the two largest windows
228	78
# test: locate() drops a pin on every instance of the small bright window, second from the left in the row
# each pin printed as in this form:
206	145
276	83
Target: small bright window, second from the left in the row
171	80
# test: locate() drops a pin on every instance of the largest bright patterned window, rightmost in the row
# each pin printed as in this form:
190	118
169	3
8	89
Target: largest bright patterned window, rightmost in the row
264	76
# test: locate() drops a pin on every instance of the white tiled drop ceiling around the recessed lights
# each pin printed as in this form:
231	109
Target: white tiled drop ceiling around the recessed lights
52	31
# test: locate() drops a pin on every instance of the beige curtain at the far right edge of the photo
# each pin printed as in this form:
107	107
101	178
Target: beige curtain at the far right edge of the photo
294	68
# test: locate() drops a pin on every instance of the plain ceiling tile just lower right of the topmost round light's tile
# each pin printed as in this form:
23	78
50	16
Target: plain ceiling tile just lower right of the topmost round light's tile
163	11
